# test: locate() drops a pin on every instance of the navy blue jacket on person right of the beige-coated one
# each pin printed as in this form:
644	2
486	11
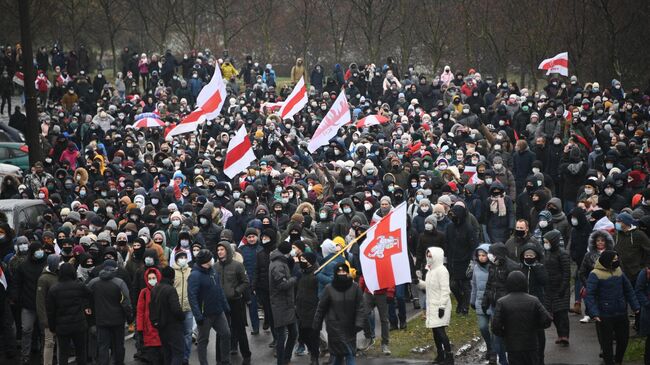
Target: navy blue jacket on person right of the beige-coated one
205	294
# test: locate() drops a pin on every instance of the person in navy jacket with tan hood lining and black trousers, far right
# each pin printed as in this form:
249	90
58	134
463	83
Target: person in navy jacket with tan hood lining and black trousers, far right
608	295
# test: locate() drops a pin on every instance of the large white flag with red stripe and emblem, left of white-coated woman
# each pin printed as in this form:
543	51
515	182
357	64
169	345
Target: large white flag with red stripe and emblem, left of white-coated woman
384	252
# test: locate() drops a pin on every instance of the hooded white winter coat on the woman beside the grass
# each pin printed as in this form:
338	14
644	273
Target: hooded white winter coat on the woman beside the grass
437	289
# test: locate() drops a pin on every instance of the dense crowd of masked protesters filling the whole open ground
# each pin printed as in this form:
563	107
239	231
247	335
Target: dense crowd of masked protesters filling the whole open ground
518	201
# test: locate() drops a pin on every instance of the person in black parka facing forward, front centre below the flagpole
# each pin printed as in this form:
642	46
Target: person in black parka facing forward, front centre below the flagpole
341	308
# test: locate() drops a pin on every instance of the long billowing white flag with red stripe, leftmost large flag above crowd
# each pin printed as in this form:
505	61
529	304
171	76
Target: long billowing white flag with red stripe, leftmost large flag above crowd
209	104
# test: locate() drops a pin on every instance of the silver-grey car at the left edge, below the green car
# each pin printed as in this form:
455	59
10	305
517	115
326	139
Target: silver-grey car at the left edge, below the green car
22	213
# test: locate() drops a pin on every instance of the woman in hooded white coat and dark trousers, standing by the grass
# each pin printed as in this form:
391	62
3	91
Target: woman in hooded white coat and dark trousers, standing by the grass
438	309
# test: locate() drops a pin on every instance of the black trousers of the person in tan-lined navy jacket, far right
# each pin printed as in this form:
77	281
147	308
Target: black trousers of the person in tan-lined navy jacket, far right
614	328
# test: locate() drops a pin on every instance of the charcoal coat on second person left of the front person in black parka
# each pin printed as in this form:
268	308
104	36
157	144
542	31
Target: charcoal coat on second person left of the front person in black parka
281	286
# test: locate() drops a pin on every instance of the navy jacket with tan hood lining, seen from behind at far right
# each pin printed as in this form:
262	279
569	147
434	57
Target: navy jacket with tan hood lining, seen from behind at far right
609	292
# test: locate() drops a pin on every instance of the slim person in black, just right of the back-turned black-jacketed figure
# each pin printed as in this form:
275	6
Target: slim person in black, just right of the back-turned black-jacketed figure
557	292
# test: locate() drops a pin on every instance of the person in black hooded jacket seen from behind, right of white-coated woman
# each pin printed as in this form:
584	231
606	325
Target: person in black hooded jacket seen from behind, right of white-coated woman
518	318
